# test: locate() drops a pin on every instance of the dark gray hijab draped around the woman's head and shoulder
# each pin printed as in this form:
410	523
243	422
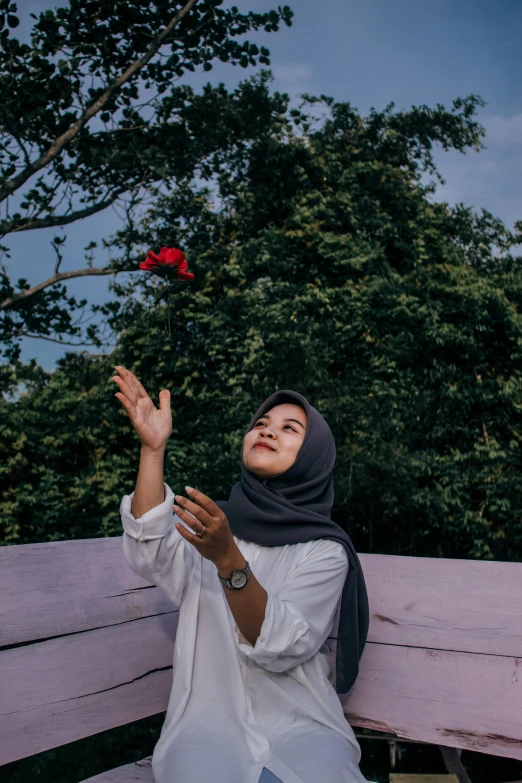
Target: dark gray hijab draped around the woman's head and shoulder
294	507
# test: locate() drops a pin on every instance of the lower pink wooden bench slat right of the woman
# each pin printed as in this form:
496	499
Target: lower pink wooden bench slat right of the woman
461	700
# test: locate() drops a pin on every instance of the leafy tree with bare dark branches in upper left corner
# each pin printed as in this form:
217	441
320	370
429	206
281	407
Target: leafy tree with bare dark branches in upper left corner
91	117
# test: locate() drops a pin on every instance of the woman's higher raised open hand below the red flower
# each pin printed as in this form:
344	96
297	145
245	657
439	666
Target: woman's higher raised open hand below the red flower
153	426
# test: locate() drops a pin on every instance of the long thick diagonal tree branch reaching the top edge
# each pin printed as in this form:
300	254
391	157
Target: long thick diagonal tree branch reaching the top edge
12	185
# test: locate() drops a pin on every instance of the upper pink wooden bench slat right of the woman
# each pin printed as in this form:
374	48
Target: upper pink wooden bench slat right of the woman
462	605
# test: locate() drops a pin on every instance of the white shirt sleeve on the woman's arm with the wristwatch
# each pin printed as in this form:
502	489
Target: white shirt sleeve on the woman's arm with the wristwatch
298	617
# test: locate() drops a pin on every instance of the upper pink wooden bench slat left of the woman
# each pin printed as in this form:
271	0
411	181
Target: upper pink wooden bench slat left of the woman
69	586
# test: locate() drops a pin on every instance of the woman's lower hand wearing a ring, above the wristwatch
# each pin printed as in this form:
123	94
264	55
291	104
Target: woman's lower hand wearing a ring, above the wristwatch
217	542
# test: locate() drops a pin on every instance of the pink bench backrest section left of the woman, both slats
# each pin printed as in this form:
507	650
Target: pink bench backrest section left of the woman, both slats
97	649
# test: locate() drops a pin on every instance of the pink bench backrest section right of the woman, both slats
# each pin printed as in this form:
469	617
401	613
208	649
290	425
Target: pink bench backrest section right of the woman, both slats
444	662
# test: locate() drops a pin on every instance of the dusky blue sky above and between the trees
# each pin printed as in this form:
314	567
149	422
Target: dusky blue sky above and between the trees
370	53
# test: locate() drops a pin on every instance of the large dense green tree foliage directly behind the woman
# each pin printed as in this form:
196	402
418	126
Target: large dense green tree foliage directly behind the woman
322	265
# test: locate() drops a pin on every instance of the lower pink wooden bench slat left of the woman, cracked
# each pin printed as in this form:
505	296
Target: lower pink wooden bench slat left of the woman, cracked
62	690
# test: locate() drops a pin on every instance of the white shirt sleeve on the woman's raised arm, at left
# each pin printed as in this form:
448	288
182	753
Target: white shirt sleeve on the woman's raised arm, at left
153	547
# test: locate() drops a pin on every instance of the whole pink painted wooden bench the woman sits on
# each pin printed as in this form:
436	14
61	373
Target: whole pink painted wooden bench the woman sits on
86	645
